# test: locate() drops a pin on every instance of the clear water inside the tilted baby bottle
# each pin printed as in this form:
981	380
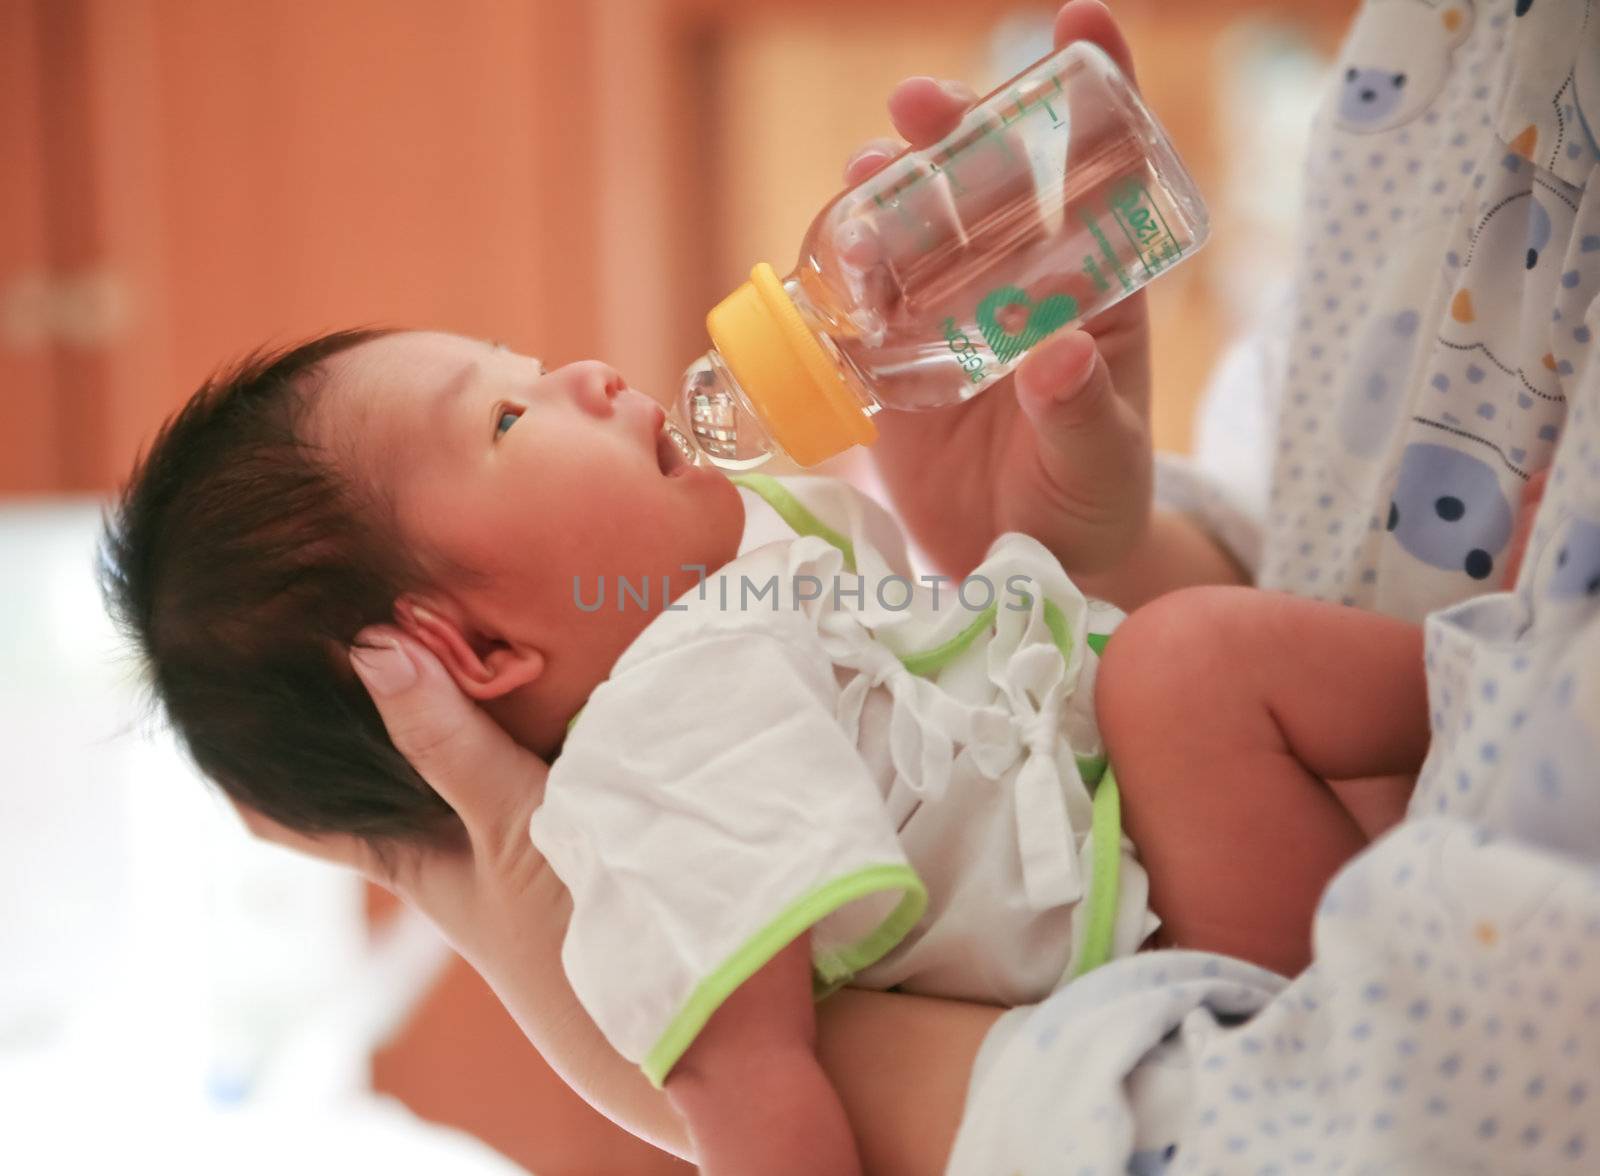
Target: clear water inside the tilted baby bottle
938	282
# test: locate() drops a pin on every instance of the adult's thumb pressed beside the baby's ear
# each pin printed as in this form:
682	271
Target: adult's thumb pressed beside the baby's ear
481	772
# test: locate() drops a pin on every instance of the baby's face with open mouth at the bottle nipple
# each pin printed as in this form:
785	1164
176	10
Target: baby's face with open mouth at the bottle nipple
532	479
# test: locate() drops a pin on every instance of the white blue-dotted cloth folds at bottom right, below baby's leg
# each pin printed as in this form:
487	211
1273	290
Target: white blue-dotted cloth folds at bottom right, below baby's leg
1478	1055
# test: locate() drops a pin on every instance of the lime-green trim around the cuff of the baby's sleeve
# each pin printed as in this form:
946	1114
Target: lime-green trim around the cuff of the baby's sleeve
790	926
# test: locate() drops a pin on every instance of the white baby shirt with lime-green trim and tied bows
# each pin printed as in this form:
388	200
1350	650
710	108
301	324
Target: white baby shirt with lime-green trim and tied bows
815	740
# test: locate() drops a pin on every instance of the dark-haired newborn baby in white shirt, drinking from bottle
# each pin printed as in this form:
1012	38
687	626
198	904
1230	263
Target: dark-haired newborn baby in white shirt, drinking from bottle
802	774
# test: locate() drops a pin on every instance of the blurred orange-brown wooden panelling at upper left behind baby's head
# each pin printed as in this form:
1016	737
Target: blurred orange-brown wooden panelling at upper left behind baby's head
186	182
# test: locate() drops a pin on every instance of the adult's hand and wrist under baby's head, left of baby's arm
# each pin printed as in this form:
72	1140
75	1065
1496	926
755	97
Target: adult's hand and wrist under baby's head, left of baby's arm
490	894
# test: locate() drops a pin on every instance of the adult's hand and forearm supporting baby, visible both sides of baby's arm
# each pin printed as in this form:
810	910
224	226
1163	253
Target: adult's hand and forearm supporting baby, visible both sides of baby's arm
900	1063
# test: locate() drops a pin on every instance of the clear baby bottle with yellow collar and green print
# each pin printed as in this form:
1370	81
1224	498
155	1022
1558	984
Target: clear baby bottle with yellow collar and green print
1055	198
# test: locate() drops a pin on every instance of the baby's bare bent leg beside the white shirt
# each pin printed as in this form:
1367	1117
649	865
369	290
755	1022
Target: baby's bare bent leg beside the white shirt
1226	713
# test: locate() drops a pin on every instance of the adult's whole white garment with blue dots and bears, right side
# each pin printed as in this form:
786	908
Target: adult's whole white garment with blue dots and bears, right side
1442	351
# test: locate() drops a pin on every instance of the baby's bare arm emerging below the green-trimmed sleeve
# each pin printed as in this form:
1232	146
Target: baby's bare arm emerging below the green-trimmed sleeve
751	1087
